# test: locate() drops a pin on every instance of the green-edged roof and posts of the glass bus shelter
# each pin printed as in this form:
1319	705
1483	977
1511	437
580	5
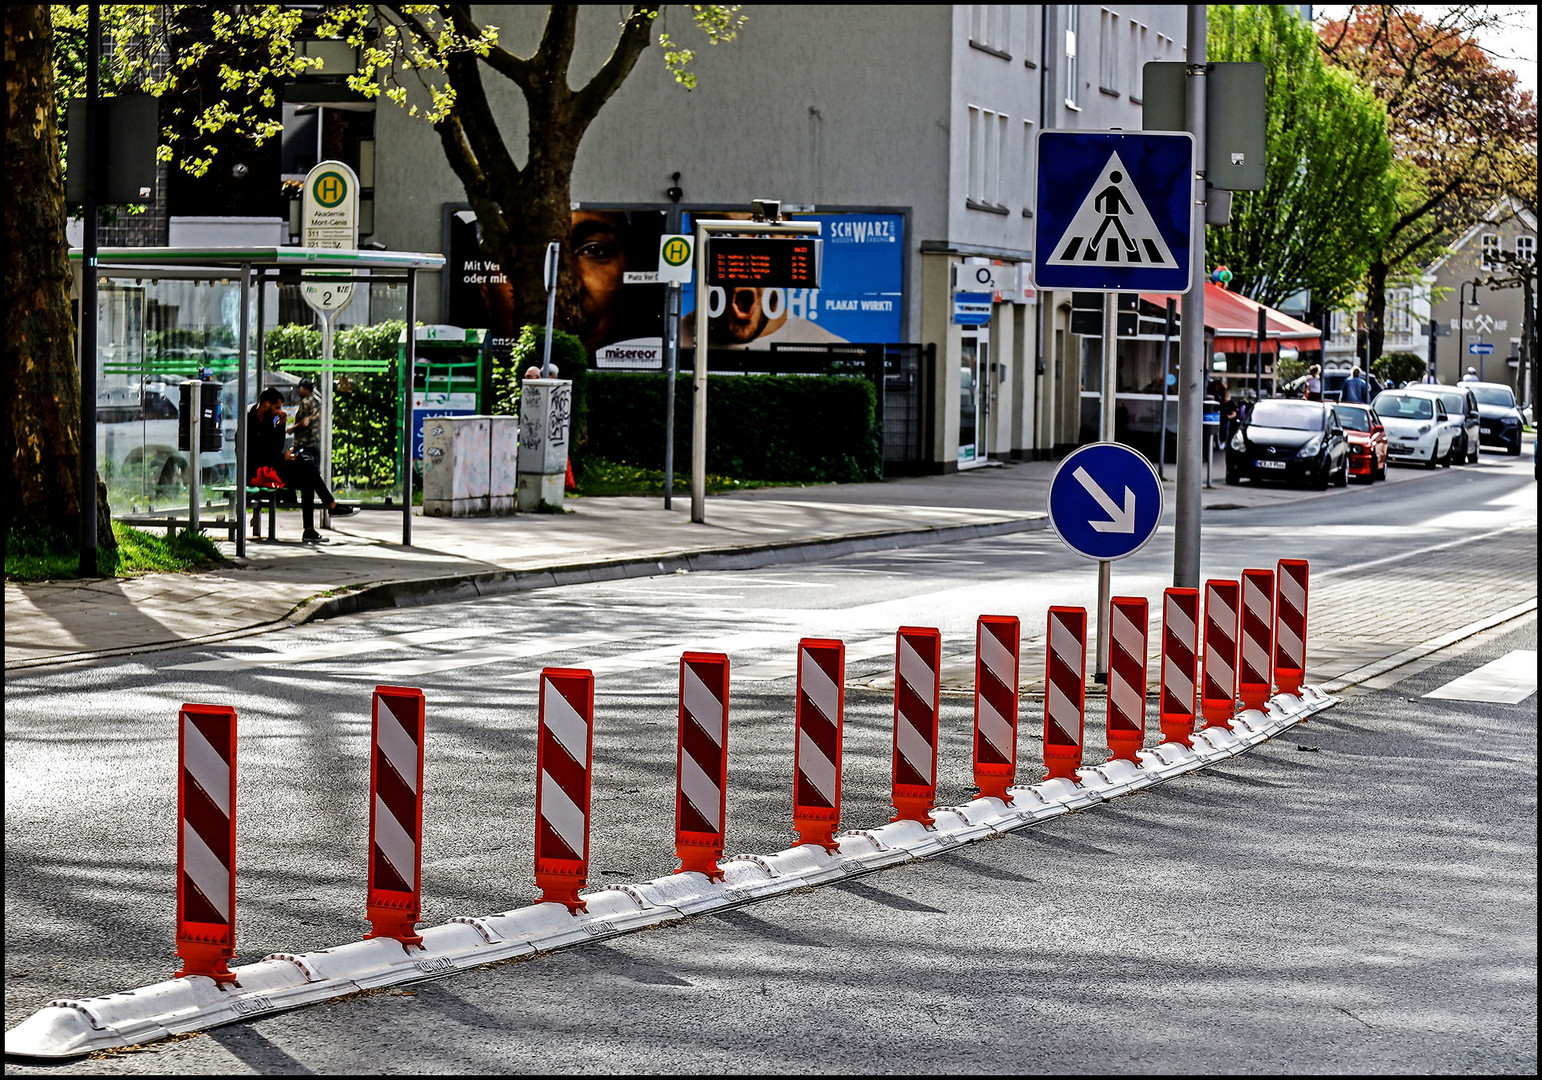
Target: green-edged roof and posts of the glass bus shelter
254	268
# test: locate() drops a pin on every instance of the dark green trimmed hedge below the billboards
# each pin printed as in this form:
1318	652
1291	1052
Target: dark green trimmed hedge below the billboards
790	428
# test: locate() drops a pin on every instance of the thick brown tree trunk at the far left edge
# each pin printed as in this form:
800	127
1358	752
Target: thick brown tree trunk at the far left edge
42	380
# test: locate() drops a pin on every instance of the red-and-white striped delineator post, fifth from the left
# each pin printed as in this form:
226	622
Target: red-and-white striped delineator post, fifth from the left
816	761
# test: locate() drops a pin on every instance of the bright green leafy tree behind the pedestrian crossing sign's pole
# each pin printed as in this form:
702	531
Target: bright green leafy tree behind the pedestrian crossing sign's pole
1332	181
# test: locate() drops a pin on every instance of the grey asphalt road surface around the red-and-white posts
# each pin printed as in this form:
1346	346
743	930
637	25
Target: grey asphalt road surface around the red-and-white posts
1369	906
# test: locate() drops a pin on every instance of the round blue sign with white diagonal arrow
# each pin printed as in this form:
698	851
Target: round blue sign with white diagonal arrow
1105	501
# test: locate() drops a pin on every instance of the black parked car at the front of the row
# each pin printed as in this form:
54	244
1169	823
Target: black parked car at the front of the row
1290	440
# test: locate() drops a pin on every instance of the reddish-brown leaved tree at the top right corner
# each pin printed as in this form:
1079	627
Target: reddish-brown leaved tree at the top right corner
1464	133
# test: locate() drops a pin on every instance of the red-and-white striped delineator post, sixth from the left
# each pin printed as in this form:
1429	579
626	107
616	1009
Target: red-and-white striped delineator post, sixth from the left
918	690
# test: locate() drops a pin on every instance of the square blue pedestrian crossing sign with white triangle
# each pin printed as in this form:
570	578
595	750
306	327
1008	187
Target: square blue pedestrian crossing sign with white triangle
1113	212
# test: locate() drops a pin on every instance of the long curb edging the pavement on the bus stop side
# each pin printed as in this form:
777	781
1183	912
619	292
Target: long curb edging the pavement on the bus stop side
385	596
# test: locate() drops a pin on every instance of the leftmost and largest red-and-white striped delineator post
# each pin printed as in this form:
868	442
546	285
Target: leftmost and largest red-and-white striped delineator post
207	842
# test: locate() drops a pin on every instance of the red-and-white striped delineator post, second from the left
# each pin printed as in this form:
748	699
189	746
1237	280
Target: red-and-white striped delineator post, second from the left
394	902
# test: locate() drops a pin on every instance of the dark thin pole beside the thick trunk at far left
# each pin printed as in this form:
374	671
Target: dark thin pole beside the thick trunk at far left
89	299
